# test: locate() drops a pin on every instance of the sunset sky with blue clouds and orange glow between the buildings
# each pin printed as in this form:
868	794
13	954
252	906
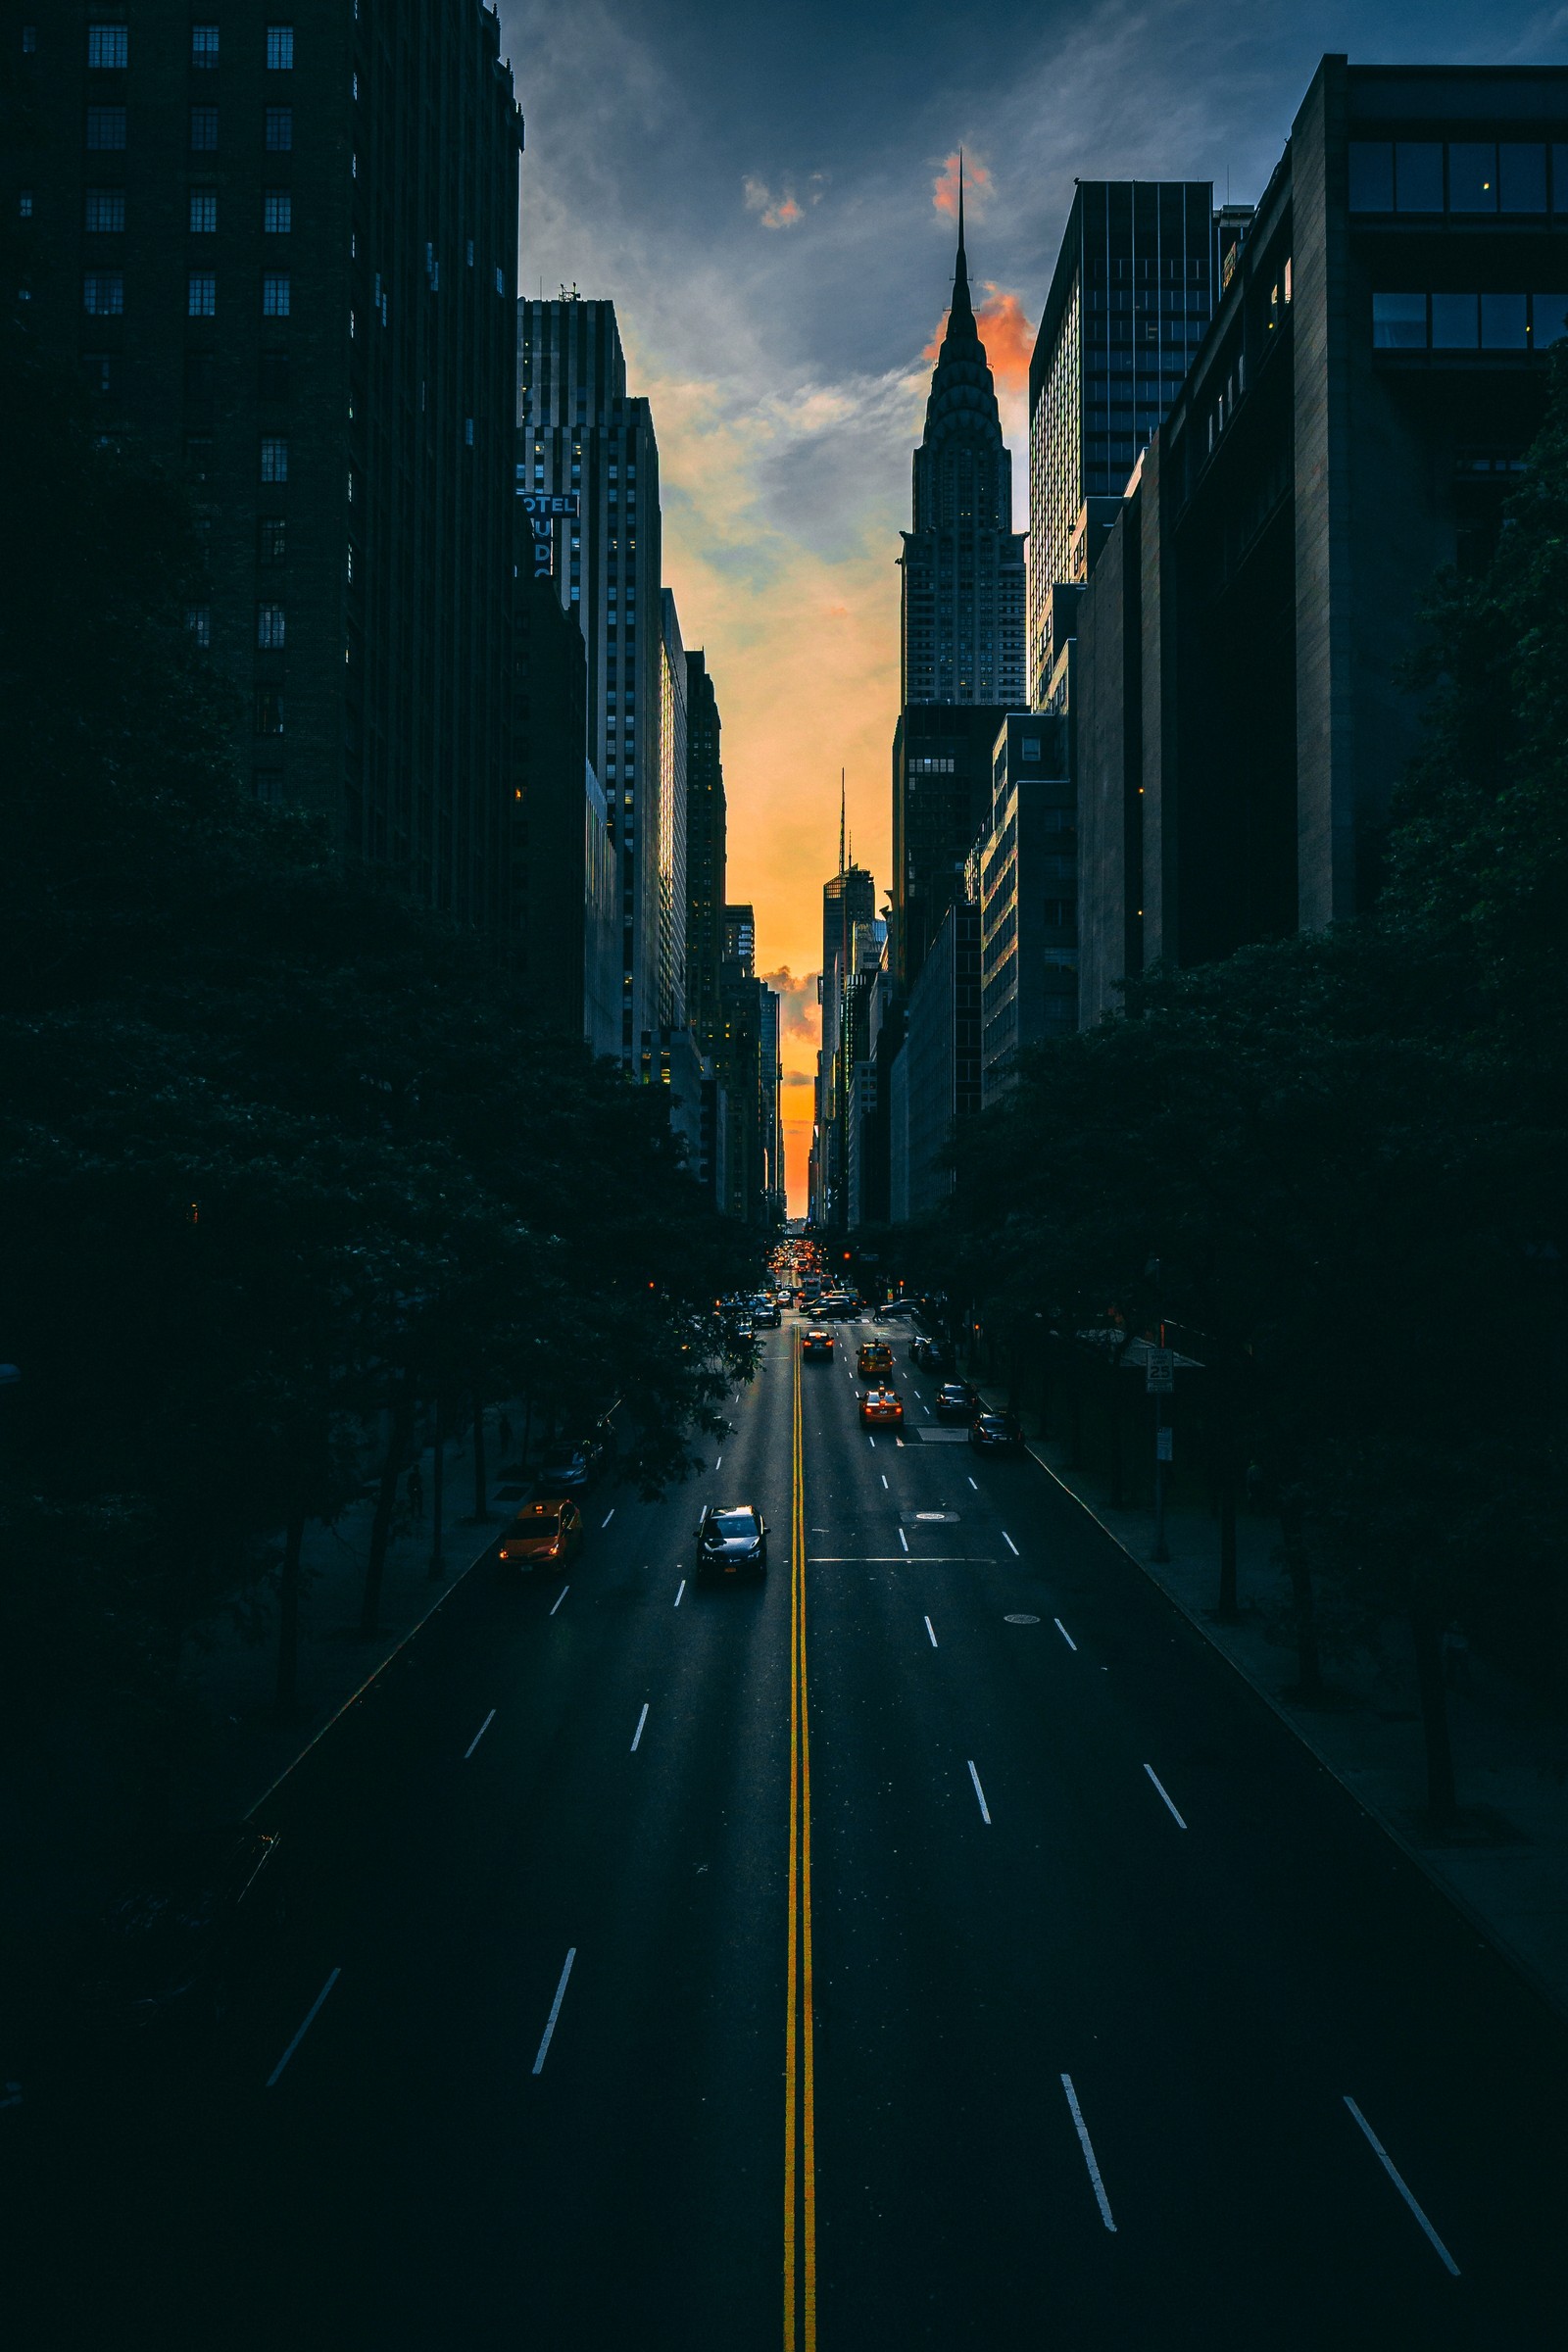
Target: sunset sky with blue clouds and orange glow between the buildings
768	199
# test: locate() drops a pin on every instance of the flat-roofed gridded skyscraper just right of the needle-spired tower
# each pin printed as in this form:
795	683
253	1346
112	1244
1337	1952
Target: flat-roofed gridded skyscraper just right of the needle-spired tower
1127	309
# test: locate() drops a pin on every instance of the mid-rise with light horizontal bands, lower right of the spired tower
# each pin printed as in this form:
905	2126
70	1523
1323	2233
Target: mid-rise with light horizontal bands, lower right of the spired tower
1026	888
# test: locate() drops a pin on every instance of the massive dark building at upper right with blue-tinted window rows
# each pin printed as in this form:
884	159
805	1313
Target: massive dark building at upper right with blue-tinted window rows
1353	422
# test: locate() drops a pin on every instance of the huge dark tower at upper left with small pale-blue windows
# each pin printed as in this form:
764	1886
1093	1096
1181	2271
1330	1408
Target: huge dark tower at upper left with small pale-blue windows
283	260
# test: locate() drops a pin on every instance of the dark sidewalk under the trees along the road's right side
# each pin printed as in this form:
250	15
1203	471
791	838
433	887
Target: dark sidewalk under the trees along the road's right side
1508	1859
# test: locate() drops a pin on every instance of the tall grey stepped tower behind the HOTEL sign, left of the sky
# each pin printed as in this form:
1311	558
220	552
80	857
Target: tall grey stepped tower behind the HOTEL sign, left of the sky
579	432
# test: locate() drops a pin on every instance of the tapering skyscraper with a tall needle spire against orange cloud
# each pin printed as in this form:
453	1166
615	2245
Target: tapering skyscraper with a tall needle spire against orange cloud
963	563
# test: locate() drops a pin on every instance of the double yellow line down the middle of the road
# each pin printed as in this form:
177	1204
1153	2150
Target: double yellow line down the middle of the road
800	2057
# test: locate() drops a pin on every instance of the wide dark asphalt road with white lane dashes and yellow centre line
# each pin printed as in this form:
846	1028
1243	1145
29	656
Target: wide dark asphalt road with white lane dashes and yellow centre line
986	1967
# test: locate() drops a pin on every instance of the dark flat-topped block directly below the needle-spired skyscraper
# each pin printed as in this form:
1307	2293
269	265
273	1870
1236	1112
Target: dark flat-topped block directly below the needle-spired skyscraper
942	799
